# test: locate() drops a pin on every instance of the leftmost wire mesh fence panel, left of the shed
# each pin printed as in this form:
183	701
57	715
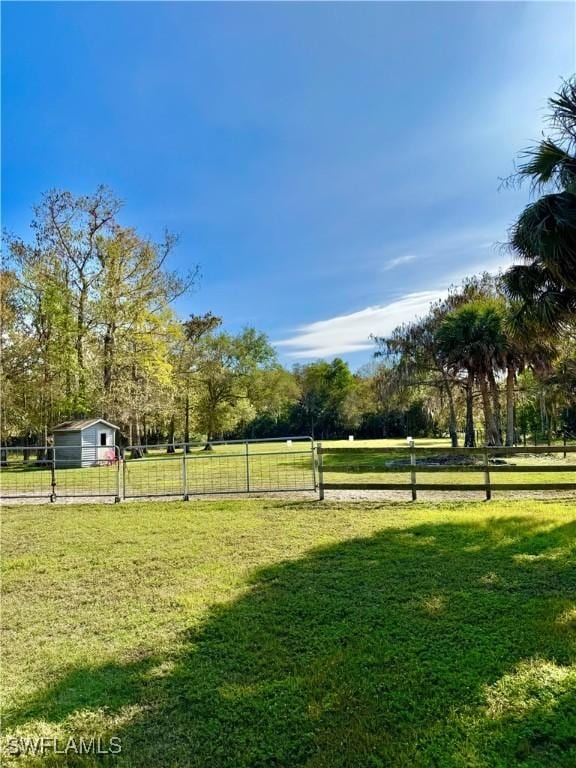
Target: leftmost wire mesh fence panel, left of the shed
26	472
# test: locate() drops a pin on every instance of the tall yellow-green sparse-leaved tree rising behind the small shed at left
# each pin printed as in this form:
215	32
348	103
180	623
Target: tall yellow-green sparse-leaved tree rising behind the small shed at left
95	324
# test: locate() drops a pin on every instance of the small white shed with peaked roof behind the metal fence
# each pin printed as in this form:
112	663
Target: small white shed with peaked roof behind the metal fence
84	443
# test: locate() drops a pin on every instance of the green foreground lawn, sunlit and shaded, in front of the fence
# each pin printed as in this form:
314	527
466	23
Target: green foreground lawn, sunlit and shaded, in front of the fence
267	633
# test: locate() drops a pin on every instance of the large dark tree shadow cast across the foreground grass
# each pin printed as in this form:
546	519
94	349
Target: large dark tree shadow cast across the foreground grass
436	645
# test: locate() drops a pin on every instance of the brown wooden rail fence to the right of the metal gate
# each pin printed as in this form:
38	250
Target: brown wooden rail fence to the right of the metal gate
485	467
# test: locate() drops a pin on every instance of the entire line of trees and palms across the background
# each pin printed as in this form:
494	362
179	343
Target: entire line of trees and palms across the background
88	328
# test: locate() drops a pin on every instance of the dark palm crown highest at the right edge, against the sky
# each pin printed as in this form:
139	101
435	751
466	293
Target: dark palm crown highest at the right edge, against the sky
544	236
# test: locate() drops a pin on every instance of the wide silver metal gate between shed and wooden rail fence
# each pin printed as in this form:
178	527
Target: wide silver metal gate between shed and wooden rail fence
219	467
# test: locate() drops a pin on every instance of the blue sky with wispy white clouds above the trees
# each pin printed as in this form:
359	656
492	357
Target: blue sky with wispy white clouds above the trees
331	167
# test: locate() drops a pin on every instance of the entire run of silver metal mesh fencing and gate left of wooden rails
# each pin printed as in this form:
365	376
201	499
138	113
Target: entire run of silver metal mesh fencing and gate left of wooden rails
85	470
